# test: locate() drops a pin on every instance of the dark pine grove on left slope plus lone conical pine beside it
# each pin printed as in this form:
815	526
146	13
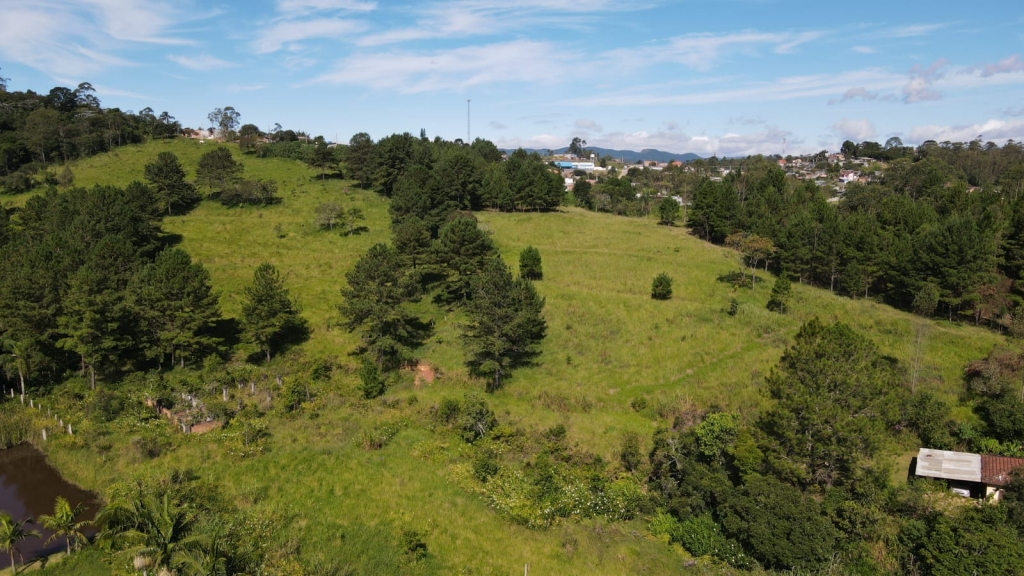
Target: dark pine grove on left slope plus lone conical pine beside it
89	281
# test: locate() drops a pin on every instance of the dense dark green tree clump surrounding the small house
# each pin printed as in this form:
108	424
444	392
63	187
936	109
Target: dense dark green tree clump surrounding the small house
805	487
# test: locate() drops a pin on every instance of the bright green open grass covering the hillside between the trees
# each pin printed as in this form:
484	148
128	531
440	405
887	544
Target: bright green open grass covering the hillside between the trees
609	343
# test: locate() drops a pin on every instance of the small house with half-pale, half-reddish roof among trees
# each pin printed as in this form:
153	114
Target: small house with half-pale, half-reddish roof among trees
976	476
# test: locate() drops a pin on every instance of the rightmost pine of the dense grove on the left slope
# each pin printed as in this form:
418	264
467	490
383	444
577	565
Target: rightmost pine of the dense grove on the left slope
178	307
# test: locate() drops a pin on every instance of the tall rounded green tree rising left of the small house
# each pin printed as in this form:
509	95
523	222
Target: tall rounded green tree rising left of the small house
836	396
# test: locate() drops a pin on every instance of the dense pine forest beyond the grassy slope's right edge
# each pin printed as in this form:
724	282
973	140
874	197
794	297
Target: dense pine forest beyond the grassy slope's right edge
924	238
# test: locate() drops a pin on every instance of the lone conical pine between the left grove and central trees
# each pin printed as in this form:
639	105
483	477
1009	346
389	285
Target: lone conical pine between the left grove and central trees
269	315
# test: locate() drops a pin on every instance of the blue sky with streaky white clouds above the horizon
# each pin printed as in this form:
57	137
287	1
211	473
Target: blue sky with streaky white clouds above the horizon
710	77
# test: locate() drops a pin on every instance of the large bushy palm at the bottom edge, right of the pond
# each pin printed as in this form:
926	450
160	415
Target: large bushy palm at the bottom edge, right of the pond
149	527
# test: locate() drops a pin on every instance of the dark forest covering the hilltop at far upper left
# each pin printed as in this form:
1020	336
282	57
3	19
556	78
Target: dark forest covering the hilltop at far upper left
38	132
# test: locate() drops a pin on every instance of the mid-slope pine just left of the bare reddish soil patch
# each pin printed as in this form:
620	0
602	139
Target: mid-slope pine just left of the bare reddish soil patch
373	300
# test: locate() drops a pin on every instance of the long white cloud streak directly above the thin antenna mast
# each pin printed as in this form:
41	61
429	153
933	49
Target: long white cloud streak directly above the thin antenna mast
455	69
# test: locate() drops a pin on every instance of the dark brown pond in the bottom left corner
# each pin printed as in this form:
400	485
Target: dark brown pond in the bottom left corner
29	485
